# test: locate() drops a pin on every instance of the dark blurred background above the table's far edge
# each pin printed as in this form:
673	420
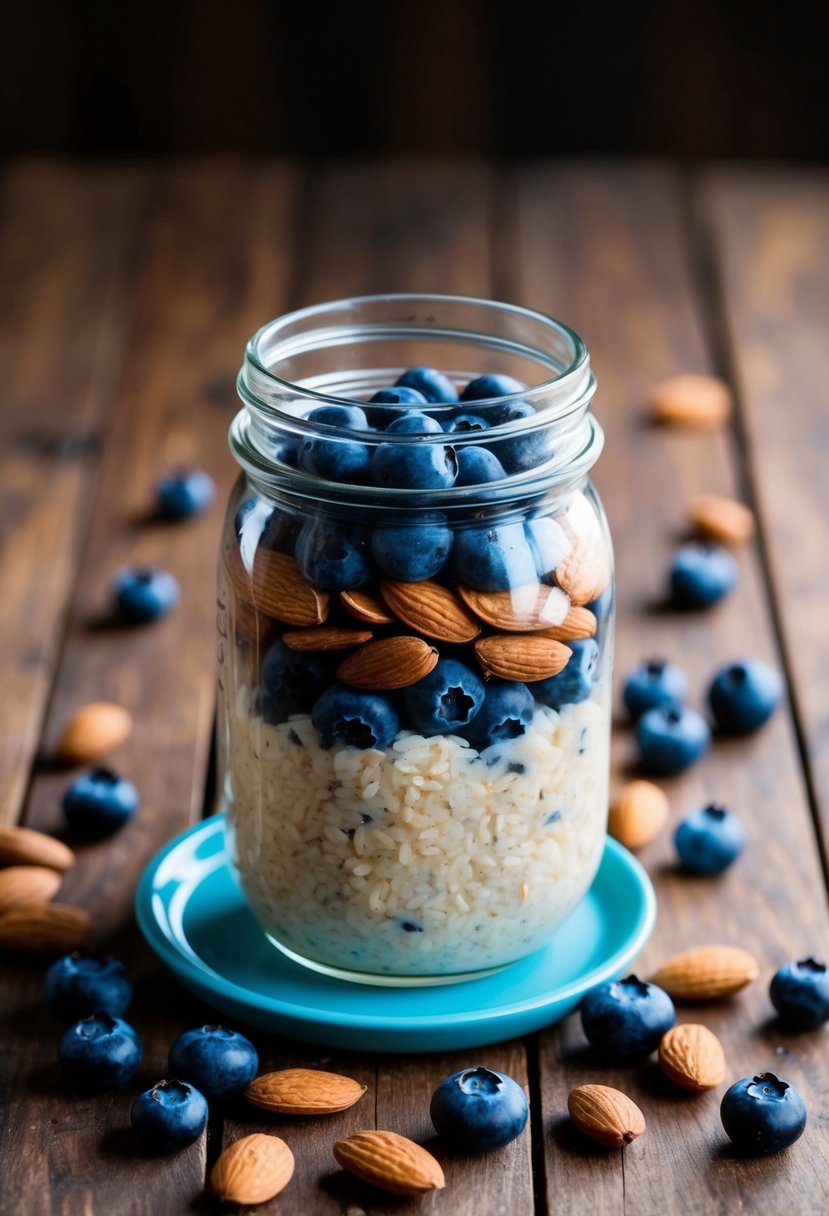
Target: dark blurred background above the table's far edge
656	77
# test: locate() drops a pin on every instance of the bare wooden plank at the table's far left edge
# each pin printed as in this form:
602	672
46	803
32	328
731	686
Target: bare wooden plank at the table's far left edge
66	256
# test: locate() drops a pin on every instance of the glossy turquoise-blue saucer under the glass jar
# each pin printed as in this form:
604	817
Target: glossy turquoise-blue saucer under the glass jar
194	915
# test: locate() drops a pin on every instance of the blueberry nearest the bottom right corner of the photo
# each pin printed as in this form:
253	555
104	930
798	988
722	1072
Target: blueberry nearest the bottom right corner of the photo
763	1114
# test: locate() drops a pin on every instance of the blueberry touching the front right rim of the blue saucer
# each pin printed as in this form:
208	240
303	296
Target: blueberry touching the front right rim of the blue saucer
625	1020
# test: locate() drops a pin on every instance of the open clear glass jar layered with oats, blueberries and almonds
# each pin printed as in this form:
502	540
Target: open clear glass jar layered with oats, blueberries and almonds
416	639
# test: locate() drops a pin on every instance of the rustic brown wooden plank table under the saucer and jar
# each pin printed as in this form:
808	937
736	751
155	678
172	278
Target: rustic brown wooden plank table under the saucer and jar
128	294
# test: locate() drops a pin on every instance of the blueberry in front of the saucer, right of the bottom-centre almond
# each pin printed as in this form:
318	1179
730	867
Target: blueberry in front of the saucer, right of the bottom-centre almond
480	1110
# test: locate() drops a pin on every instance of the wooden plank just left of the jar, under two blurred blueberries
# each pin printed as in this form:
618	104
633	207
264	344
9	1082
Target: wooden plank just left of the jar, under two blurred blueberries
215	263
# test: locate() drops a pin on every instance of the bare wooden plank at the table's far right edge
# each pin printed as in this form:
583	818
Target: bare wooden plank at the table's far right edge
771	239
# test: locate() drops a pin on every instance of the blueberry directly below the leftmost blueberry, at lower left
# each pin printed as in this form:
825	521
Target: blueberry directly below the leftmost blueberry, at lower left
99	1052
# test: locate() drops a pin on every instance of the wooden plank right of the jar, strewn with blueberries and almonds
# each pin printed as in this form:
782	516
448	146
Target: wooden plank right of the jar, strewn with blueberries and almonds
604	249
